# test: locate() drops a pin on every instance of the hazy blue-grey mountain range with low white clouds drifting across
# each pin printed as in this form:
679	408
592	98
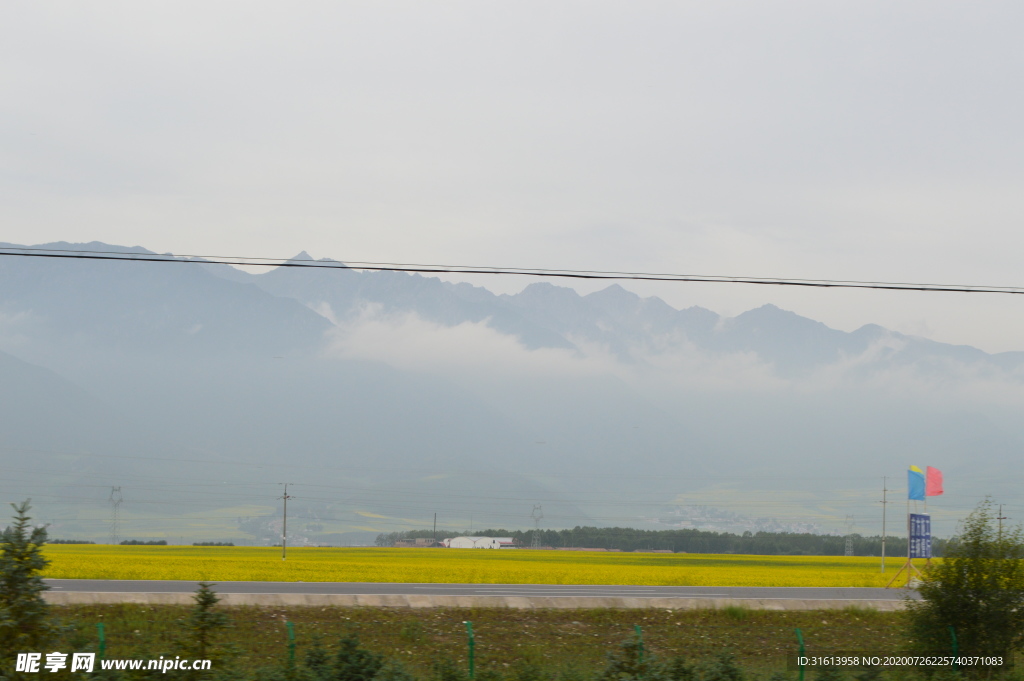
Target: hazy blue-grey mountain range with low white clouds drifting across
198	389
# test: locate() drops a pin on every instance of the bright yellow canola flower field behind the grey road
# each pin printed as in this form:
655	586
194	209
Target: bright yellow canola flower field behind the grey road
459	567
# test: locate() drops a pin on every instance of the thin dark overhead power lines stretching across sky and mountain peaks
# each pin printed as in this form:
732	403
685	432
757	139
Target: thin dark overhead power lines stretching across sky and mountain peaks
524	272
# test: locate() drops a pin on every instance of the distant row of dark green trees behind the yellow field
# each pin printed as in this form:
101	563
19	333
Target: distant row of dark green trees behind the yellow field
687	541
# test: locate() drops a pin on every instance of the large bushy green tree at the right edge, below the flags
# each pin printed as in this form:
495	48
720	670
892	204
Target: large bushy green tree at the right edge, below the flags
978	589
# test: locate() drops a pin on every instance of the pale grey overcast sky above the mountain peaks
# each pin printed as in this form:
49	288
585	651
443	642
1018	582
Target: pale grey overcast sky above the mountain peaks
867	141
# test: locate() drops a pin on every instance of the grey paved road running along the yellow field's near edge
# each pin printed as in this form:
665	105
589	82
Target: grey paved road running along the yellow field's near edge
582	591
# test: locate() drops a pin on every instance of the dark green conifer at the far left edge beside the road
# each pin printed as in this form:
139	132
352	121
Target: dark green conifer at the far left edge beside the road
25	621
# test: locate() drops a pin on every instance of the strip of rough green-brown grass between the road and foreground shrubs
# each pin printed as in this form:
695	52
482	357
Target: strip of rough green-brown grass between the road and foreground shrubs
550	641
